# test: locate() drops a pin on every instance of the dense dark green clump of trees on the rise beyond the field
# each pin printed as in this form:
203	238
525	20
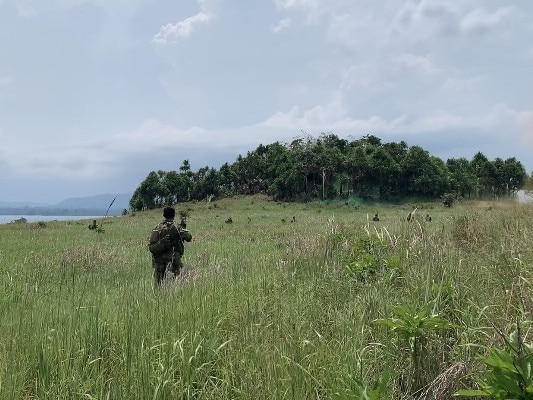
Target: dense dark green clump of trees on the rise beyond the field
329	167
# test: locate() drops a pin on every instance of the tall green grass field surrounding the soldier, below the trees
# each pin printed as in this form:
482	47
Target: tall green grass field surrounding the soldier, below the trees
327	307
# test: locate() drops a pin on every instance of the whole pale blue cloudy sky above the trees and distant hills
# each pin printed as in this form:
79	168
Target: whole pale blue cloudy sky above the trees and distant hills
95	94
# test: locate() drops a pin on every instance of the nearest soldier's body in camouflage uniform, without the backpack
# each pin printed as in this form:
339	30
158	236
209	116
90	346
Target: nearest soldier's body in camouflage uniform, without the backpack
171	259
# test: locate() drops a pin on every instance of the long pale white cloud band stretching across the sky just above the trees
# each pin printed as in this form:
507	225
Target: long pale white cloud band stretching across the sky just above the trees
94	158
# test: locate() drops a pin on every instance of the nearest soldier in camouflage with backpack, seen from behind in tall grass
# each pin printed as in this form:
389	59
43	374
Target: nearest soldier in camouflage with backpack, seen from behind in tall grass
170	253
